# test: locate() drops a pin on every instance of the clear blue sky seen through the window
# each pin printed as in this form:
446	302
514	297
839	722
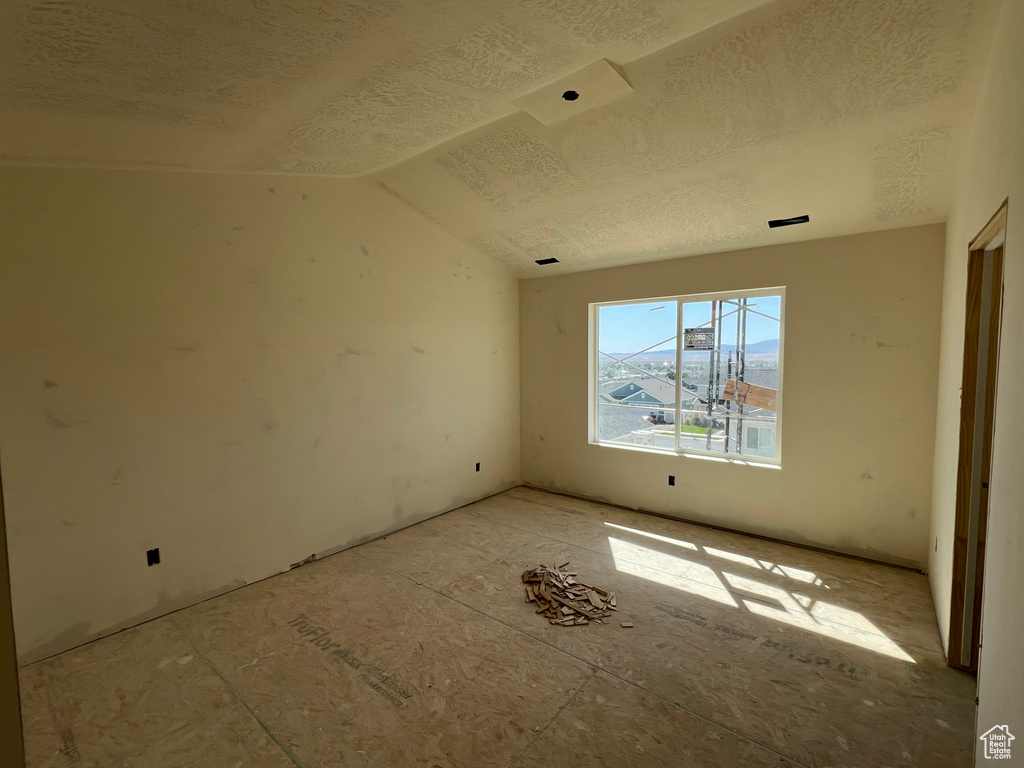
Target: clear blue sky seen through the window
628	328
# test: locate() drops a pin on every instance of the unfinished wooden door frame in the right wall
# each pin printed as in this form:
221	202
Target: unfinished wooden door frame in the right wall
982	357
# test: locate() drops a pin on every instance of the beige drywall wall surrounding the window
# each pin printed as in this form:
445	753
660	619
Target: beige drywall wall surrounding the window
859	417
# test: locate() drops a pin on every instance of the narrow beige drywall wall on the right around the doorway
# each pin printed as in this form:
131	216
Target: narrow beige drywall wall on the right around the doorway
993	172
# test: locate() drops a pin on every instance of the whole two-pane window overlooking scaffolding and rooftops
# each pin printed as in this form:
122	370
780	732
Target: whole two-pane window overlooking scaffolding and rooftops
698	375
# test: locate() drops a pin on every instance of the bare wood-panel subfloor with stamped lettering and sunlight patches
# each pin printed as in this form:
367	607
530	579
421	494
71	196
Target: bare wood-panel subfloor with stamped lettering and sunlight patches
419	650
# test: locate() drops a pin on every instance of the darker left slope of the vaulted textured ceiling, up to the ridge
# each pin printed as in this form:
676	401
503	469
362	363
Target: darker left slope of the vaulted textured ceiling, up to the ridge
329	88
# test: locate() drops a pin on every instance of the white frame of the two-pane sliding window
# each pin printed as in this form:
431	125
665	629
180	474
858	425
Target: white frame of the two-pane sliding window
594	366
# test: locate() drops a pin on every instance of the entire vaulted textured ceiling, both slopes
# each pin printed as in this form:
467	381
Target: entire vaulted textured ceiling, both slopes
741	111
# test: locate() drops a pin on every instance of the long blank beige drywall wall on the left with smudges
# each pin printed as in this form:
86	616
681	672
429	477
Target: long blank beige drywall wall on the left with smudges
242	371
